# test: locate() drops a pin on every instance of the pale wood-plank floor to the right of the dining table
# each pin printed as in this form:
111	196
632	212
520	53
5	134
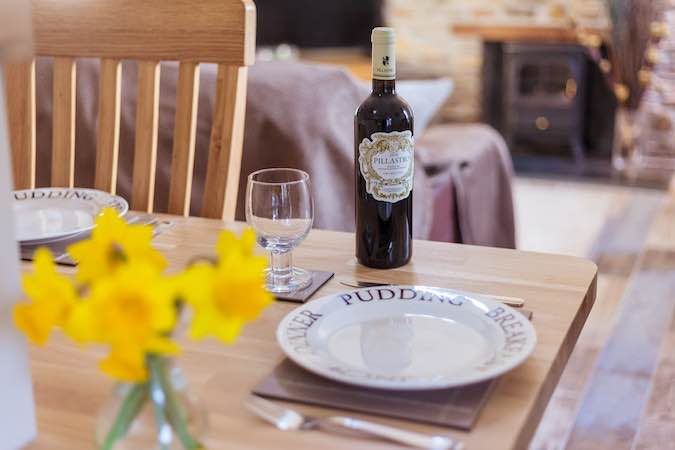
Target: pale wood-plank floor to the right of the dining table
618	390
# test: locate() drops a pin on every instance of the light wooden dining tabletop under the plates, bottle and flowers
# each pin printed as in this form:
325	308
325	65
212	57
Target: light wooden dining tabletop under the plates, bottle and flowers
559	290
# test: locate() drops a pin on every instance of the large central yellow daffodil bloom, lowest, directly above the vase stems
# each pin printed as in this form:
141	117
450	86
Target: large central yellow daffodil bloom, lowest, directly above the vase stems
133	311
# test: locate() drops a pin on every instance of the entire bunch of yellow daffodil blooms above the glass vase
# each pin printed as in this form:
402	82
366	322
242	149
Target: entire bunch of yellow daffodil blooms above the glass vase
130	307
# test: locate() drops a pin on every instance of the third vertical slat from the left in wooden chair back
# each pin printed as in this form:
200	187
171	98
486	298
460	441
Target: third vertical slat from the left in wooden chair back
107	145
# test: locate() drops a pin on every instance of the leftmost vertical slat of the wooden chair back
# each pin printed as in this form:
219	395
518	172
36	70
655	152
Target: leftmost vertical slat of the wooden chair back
20	80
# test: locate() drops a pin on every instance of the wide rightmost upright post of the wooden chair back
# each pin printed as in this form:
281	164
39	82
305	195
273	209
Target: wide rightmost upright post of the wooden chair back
224	165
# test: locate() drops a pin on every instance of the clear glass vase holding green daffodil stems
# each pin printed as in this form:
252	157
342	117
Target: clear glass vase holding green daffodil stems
159	414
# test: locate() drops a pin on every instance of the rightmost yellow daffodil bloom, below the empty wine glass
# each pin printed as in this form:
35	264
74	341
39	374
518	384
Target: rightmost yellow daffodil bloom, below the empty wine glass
226	296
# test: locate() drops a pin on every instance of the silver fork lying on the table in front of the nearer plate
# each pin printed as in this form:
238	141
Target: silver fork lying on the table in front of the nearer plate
289	420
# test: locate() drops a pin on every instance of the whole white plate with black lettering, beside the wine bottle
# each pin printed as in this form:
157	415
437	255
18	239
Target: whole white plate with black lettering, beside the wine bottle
406	337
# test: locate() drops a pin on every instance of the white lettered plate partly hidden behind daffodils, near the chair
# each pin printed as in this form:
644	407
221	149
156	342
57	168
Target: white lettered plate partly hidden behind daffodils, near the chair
47	214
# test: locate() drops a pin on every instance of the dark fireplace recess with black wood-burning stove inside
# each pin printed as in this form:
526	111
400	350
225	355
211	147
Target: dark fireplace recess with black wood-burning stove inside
551	104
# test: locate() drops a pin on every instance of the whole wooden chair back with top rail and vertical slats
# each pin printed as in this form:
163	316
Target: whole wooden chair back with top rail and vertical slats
149	31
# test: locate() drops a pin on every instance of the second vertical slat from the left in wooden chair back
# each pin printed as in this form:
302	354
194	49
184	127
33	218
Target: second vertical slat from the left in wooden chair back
63	122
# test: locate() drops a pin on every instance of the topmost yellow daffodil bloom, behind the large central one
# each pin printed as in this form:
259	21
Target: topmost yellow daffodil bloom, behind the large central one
114	243
